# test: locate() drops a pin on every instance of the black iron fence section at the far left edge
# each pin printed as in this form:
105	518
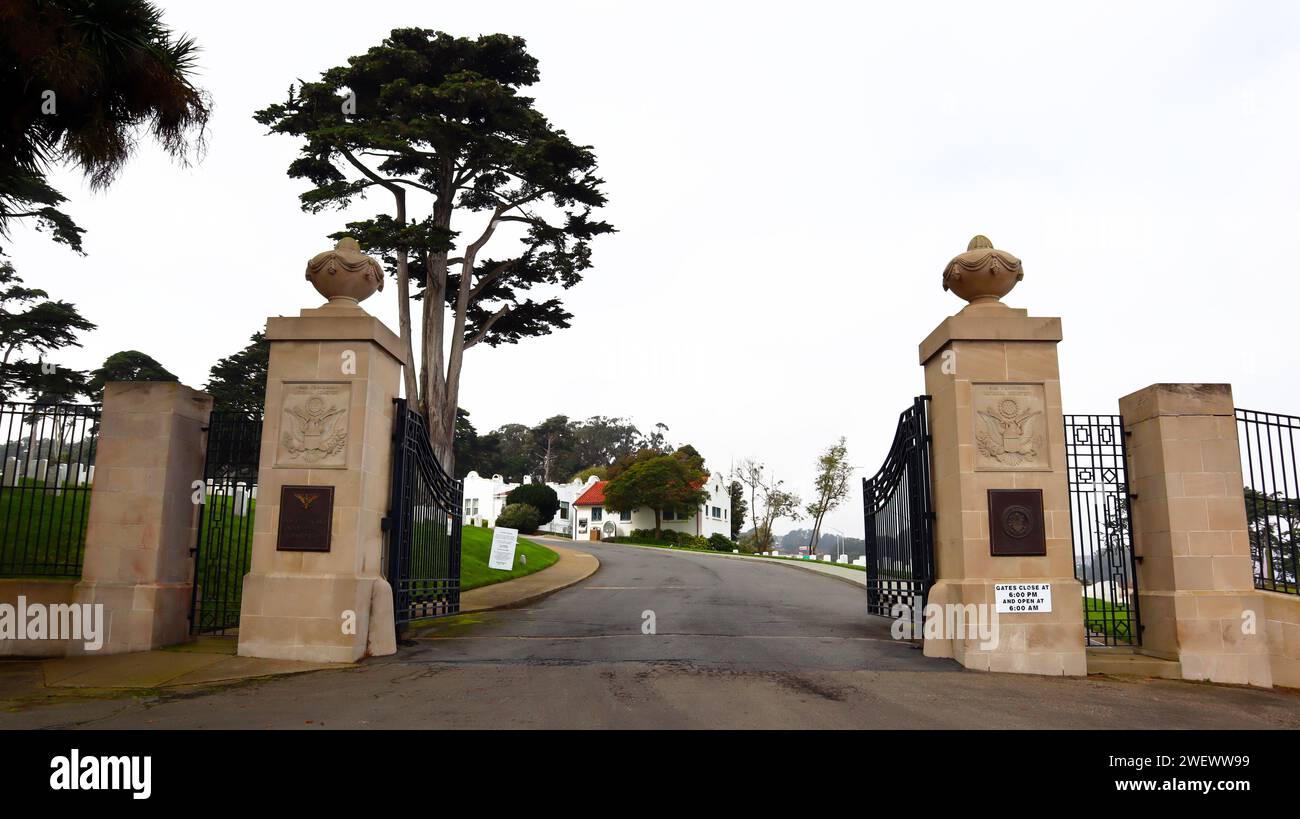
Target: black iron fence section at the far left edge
49	465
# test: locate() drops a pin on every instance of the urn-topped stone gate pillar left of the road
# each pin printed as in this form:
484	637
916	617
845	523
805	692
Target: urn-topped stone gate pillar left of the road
317	591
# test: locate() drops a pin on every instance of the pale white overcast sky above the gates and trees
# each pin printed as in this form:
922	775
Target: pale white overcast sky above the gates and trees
788	183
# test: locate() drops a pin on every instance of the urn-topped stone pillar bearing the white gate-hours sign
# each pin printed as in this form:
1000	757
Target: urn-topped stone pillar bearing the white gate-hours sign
996	426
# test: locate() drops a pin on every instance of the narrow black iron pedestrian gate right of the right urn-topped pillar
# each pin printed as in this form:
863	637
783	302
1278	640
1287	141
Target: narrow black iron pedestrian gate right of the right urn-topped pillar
1102	528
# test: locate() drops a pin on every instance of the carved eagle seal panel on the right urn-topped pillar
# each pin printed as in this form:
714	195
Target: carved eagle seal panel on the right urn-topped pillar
1011	430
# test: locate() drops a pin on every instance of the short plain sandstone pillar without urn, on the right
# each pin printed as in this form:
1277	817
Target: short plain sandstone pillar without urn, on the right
1195	577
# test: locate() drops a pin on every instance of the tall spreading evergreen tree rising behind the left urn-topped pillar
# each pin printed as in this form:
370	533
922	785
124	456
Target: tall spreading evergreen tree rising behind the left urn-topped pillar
439	123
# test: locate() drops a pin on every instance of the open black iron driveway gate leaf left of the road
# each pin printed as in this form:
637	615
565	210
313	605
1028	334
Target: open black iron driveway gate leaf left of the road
423	526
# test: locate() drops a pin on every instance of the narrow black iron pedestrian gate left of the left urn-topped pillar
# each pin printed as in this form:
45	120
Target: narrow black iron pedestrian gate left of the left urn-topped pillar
224	548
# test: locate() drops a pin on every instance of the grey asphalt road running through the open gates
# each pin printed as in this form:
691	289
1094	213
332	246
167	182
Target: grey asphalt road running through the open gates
736	644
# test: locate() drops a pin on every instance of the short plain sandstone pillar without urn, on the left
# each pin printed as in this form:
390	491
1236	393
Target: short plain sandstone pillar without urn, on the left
142	514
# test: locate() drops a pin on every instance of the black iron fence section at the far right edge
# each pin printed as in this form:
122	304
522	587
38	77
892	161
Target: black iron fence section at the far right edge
1268	444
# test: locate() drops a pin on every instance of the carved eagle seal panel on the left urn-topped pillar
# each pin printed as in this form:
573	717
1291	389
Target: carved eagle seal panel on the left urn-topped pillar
314	426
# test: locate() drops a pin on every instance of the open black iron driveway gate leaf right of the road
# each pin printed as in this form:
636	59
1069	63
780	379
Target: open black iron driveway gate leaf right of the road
900	519
